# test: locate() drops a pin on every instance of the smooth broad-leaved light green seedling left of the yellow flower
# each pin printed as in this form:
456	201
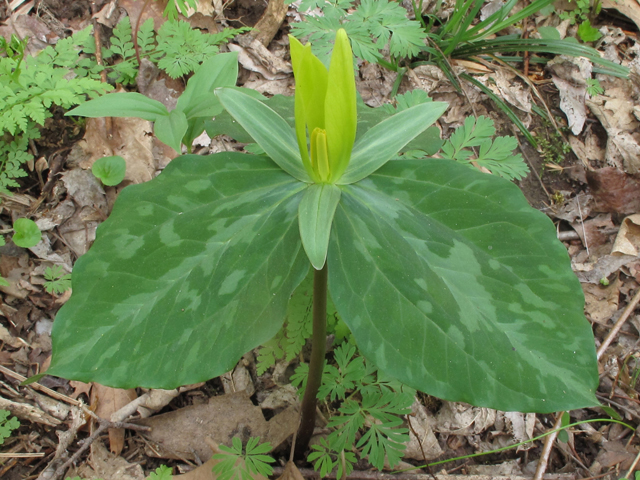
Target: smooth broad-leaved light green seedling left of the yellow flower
182	124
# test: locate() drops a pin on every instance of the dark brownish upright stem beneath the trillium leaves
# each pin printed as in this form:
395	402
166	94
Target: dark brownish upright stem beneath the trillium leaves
316	365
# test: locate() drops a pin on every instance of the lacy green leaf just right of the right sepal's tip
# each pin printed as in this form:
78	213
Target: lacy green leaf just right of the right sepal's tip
495	155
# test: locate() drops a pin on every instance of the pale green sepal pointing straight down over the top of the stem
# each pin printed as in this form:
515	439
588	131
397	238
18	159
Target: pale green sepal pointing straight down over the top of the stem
315	215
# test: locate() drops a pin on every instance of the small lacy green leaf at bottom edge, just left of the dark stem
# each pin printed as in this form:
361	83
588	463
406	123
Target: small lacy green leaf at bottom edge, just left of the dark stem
236	463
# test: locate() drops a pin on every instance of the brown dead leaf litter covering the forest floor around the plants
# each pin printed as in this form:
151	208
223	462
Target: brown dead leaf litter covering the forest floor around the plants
591	191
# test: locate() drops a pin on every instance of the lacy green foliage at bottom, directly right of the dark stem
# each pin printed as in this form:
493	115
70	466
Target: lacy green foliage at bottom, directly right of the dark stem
375	420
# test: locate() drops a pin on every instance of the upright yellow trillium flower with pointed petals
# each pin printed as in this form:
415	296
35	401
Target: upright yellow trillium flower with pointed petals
325	108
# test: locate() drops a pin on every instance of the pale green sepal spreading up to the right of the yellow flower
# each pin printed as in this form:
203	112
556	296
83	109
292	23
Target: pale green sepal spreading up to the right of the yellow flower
380	143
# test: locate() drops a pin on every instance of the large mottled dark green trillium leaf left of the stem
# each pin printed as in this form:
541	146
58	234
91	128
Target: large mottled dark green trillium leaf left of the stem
191	270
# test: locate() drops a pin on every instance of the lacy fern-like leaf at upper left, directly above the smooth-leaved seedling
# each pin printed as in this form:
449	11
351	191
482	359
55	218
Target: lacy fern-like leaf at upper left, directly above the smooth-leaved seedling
178	48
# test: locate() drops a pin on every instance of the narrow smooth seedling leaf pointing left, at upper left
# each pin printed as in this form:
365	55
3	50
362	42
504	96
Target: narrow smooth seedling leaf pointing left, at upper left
129	104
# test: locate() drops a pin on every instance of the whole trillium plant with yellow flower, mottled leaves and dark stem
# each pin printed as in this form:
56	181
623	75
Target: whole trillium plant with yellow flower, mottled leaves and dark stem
449	281
